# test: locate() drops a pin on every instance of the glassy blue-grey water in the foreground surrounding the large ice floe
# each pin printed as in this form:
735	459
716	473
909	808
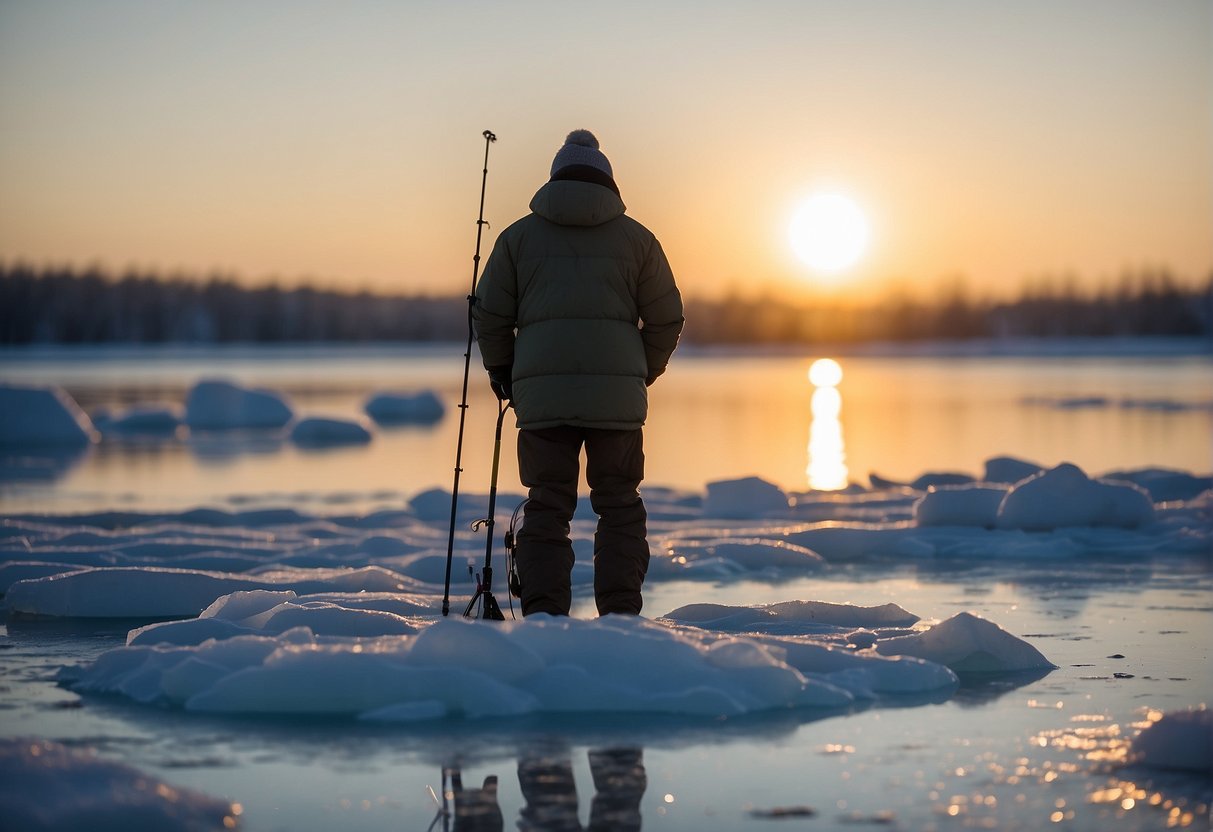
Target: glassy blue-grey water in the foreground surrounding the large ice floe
1013	753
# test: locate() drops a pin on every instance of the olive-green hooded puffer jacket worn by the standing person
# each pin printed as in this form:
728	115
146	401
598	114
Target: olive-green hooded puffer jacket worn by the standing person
579	300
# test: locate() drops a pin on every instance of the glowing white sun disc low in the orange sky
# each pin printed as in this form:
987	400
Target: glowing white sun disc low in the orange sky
829	233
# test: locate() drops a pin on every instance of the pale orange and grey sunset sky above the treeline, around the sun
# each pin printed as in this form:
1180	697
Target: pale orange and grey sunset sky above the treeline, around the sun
341	143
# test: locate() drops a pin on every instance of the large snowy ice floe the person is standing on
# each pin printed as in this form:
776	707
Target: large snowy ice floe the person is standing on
388	657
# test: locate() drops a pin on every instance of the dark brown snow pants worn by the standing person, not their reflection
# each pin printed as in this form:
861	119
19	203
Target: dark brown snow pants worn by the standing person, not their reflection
549	465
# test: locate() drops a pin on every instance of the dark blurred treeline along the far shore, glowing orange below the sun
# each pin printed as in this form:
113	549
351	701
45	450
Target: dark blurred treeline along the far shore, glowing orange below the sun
64	306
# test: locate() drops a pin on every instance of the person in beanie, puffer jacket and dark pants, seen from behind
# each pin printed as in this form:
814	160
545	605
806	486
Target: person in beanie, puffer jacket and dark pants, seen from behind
577	315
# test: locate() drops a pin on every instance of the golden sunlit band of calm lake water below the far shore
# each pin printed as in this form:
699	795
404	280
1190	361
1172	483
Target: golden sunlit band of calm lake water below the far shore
713	417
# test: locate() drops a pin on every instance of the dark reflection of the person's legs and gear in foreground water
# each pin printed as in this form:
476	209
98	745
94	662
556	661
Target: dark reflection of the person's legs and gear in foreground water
551	794
